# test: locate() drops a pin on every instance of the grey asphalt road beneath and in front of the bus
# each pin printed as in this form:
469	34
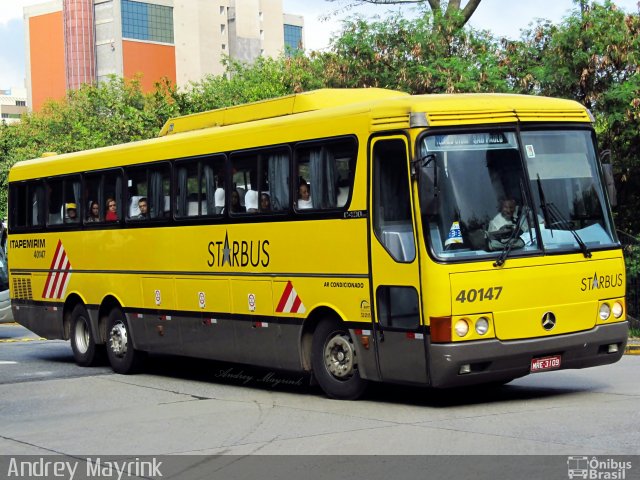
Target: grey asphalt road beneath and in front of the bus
48	405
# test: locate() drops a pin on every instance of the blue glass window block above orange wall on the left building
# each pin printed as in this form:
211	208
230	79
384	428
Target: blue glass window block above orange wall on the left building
145	21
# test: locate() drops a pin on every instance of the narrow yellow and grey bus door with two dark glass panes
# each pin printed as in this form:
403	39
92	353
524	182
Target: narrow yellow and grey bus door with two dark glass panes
397	318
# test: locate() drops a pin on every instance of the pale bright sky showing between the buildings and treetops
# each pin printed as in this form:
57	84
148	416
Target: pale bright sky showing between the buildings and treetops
502	17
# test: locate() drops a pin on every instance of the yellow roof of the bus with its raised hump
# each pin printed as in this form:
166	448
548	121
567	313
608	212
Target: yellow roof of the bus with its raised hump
382	110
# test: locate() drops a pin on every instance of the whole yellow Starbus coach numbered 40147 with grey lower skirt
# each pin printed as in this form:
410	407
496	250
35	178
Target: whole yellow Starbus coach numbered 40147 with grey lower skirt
355	235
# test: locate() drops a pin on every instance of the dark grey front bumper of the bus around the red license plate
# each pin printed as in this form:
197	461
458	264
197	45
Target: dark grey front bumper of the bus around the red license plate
492	361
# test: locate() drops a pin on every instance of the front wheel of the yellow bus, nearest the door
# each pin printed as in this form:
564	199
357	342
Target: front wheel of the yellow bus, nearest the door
334	362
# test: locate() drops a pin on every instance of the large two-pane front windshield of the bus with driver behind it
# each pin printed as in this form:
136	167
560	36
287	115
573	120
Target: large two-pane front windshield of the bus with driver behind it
480	197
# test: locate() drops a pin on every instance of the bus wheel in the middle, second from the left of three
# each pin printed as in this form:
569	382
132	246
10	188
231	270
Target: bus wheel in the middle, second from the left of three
122	356
